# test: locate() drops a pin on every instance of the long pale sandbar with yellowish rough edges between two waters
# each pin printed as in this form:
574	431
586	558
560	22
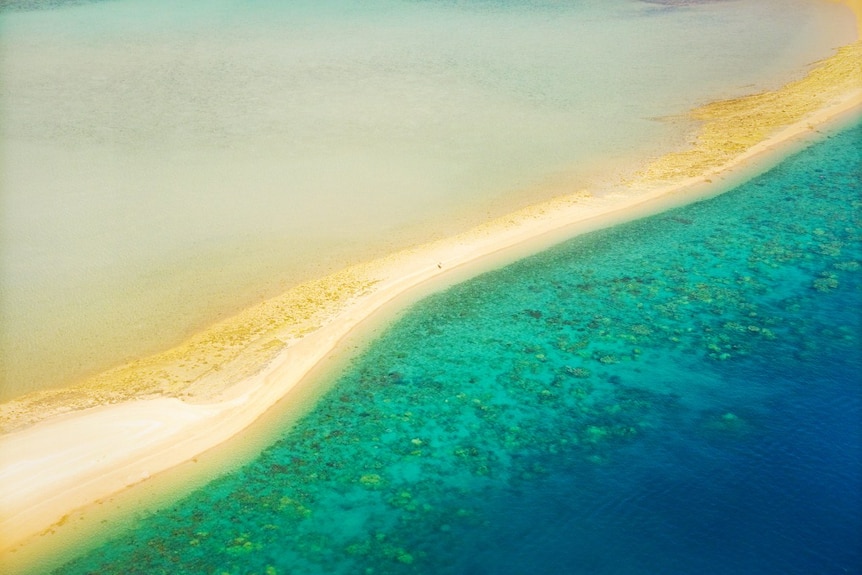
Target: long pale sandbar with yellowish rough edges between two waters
64	449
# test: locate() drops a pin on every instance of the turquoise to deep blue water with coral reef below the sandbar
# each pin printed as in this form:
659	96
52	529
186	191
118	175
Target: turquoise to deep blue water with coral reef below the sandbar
676	395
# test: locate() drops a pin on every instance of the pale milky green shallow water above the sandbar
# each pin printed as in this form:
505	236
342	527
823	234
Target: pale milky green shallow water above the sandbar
164	164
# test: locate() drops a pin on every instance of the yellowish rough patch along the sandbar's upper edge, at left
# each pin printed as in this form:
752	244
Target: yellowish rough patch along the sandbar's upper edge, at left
207	363
